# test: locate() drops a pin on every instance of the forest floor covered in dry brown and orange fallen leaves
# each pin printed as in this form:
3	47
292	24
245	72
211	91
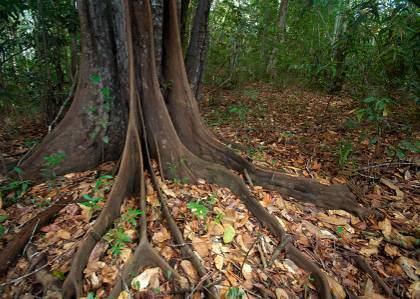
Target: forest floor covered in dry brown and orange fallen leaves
303	133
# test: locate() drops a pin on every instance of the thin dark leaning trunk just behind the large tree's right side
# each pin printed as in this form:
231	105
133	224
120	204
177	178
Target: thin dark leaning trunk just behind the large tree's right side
197	48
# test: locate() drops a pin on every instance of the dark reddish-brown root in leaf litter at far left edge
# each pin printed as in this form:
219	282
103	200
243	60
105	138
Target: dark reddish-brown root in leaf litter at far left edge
14	248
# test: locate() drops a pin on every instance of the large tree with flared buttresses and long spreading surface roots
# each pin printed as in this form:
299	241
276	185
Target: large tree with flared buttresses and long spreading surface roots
163	124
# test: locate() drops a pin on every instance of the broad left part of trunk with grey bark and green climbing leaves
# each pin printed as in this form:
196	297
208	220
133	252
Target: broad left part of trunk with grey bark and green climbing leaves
95	123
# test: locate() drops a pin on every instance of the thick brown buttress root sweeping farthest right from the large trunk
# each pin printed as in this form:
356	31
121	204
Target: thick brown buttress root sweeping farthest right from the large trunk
201	142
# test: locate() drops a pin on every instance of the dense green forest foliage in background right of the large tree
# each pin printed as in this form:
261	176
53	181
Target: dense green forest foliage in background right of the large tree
368	45
